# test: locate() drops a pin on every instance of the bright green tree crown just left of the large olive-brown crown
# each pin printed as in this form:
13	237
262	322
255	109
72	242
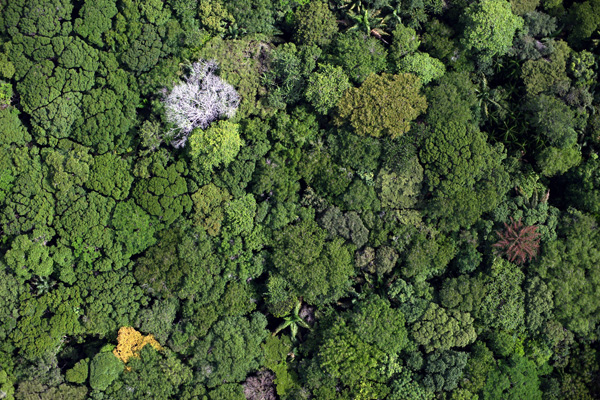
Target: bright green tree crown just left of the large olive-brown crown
326	87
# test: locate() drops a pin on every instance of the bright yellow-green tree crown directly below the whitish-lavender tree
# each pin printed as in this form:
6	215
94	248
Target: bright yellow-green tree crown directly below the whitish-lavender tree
217	145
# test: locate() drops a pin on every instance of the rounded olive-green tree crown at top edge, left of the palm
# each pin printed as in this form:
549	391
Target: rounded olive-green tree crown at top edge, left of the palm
315	23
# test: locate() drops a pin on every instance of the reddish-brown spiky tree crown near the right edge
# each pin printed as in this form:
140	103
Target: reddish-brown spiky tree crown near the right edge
518	242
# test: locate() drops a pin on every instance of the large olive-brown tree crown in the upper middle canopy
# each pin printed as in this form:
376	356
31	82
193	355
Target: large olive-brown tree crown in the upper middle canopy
369	115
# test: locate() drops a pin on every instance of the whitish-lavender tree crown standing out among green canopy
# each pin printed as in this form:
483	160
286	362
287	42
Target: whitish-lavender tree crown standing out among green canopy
200	99
